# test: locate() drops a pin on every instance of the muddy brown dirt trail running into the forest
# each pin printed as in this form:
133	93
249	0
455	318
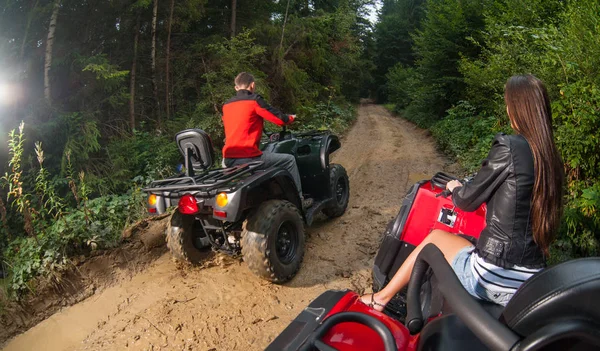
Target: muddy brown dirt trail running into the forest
221	305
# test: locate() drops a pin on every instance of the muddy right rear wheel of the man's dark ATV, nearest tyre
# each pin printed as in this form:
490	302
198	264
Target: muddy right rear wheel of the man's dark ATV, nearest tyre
273	241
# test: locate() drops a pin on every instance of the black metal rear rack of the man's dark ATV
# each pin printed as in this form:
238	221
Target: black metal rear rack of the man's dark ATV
205	181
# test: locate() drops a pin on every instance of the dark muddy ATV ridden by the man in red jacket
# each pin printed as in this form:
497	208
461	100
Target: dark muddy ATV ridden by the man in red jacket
247	209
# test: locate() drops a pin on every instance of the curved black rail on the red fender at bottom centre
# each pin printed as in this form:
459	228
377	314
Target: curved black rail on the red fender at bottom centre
386	335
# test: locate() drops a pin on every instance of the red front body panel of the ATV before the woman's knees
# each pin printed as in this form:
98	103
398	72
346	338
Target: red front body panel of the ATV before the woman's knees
421	222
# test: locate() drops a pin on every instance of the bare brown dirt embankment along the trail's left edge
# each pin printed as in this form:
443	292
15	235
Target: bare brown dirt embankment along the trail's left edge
86	277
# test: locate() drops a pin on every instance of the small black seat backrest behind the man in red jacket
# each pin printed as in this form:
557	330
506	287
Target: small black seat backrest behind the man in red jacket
196	142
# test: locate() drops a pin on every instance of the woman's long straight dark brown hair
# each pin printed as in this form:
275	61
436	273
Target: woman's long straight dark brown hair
530	115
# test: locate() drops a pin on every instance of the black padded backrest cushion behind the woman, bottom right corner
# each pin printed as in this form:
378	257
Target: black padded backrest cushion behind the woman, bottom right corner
568	291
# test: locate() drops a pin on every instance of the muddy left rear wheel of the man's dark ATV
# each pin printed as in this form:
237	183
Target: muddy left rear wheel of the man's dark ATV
184	240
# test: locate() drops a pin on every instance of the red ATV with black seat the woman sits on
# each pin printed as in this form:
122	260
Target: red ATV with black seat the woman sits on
556	309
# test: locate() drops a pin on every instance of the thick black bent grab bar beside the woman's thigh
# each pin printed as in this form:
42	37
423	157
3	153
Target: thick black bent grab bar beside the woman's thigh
489	330
